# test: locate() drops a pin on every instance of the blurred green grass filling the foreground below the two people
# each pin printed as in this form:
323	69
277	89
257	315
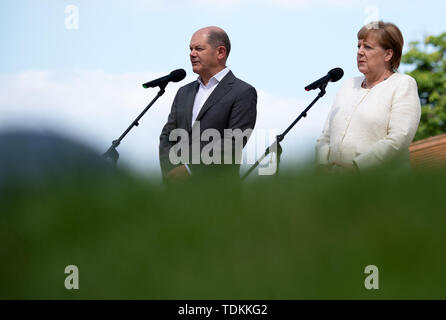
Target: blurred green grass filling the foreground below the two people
296	236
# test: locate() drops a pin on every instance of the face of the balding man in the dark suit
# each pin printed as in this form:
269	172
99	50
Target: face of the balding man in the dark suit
202	55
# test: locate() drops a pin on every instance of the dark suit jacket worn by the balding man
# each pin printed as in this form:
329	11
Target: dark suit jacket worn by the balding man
232	105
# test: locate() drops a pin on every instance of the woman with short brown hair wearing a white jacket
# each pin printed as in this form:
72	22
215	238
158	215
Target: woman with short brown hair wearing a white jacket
373	117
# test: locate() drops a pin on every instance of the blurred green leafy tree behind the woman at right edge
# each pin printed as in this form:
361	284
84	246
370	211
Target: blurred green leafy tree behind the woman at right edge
429	70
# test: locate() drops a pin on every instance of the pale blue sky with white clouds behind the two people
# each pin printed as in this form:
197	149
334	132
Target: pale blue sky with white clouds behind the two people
76	67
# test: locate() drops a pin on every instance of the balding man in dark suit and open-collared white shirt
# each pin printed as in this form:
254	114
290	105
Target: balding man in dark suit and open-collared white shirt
214	105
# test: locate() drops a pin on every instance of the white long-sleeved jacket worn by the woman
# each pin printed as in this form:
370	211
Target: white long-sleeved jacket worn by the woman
368	126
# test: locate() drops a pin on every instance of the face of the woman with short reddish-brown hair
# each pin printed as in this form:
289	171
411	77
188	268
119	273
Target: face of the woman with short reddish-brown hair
372	59
